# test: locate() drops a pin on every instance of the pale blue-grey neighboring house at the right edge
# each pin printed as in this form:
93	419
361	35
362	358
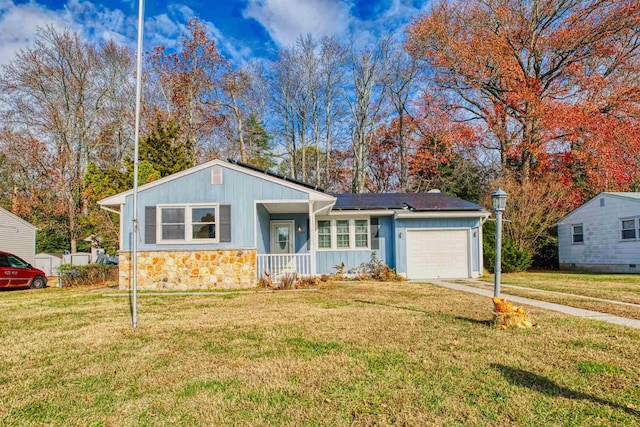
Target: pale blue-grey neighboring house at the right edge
602	235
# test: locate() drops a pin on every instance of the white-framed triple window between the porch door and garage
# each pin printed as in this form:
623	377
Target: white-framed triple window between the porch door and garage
343	234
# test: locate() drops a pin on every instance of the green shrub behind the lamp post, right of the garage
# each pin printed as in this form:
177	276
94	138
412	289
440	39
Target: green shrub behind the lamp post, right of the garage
513	259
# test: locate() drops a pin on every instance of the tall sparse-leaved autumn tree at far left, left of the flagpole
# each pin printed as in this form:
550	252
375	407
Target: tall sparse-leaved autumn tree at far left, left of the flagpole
63	104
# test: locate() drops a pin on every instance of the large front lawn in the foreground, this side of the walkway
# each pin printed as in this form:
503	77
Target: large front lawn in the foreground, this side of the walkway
356	354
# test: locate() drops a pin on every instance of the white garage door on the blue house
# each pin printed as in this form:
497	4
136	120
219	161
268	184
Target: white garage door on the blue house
437	254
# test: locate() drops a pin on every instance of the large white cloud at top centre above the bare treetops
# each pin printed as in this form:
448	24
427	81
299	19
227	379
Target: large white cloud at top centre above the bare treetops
285	20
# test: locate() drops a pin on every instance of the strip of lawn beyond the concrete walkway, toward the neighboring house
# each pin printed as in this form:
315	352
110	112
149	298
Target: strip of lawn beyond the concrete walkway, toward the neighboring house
624	288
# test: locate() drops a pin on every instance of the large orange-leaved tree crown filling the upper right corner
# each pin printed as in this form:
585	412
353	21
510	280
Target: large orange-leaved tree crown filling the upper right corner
553	84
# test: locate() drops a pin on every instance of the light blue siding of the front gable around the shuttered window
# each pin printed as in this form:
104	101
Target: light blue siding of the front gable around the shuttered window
238	189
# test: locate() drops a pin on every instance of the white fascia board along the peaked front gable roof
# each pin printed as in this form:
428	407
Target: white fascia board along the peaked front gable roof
315	195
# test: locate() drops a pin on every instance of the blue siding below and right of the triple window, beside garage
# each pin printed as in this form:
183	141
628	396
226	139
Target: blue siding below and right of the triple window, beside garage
326	260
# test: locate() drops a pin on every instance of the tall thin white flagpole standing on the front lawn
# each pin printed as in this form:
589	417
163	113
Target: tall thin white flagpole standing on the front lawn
134	257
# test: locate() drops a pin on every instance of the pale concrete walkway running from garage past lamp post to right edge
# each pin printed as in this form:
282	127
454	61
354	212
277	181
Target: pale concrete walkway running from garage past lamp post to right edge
632	323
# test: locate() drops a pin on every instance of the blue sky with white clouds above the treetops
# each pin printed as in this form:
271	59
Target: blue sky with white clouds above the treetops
243	29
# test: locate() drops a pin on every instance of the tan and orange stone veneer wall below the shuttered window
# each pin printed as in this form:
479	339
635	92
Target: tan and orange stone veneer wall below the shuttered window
198	269
